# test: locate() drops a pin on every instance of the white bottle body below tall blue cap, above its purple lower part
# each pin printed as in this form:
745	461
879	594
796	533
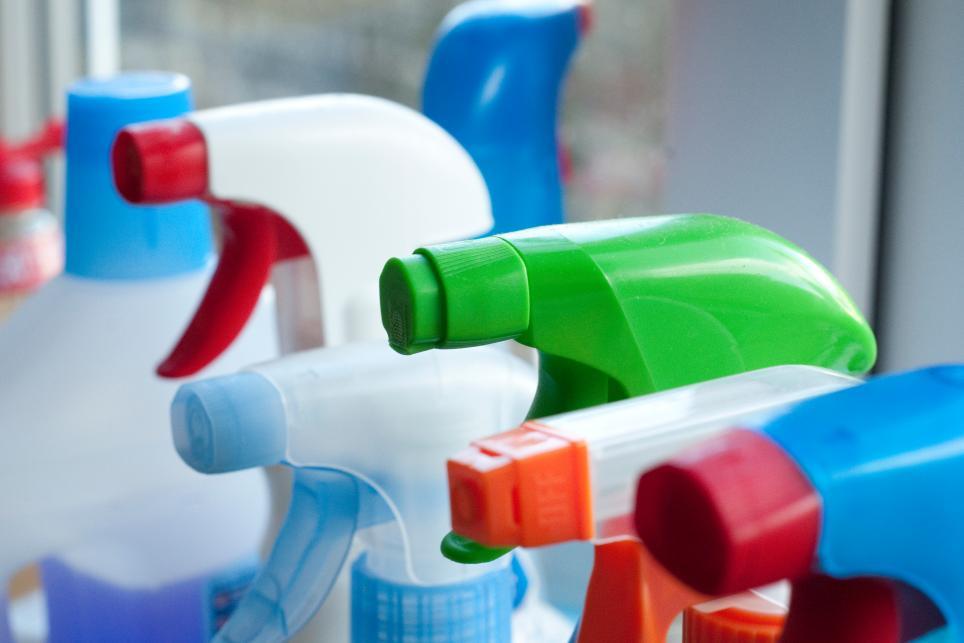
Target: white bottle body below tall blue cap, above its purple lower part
87	443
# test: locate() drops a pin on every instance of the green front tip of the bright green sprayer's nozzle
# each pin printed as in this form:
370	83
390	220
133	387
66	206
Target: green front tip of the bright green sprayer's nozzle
411	304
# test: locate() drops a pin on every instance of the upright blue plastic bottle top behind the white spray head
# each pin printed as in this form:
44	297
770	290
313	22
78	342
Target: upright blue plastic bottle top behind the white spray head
494	82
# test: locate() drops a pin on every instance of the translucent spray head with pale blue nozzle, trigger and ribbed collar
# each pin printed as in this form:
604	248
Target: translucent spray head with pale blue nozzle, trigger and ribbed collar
369	453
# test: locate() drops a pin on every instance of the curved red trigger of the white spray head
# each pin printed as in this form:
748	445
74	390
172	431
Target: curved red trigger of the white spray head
254	239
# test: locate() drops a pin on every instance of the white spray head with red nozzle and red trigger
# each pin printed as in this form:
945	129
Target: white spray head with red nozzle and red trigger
319	201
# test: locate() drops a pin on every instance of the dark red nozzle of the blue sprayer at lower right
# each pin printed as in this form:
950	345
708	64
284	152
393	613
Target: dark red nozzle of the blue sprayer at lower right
732	514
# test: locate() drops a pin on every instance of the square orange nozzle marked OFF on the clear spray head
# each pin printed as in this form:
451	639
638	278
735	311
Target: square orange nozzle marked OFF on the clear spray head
526	487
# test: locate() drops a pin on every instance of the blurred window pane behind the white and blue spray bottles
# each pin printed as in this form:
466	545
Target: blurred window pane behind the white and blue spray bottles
242	50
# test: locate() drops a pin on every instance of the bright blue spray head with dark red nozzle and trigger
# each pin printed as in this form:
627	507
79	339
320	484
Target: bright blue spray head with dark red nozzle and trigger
861	510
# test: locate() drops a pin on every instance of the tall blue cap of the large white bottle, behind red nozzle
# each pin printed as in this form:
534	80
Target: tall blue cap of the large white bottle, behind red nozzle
106	237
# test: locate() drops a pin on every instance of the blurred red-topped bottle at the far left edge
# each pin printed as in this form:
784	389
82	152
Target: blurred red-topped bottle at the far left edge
31	243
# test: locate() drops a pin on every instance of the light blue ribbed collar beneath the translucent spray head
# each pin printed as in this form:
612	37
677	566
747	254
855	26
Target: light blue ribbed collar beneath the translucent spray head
475	611
